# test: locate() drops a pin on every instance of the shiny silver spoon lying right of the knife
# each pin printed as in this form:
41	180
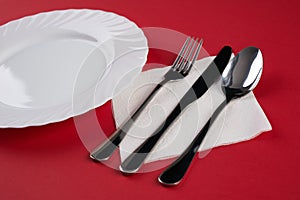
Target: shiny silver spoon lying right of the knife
239	78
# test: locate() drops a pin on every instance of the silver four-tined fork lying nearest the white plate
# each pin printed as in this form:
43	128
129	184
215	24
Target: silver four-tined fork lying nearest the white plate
180	68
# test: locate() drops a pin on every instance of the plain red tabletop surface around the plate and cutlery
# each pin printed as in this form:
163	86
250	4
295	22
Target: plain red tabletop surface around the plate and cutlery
50	162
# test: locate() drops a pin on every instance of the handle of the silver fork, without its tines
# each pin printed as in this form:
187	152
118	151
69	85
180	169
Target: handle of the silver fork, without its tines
106	149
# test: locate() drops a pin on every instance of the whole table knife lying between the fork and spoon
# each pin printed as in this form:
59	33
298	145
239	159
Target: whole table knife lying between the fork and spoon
135	160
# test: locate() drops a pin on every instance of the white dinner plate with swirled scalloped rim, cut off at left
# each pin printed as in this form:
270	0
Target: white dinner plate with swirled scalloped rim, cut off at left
59	64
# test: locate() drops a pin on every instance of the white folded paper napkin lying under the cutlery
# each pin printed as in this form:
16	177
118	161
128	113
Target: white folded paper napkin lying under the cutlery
241	120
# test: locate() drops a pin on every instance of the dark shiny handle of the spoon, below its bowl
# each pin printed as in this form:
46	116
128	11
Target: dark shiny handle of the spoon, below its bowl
176	171
